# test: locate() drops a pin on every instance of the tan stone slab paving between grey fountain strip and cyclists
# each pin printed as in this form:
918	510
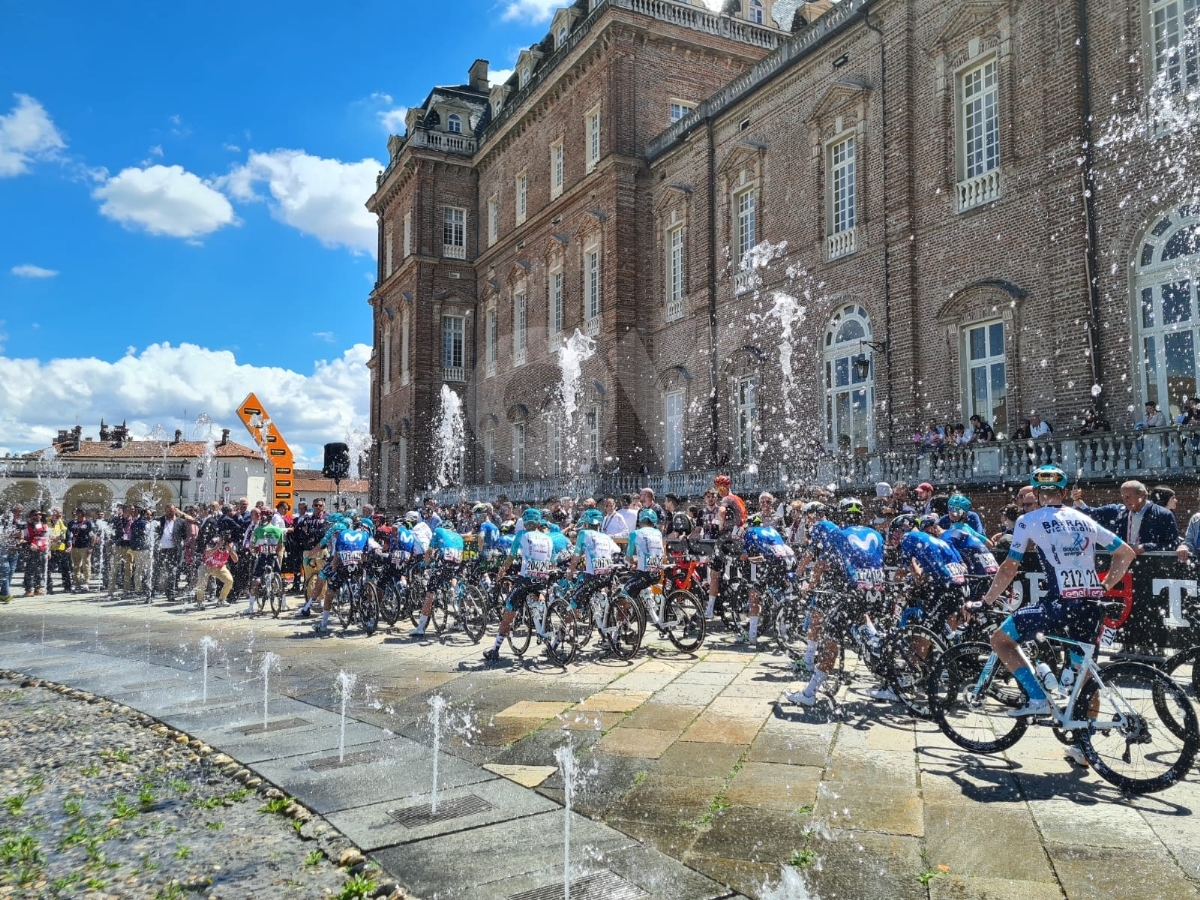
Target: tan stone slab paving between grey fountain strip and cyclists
697	757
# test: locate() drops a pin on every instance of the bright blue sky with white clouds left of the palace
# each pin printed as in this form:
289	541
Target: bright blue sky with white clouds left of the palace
182	194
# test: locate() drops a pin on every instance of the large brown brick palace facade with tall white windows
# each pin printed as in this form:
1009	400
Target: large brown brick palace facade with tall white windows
794	247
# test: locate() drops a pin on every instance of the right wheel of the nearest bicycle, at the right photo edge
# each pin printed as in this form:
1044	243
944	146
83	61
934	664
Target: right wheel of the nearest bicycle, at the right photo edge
1142	754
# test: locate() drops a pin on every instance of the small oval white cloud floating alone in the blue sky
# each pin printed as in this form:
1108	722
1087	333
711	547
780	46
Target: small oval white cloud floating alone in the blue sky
165	200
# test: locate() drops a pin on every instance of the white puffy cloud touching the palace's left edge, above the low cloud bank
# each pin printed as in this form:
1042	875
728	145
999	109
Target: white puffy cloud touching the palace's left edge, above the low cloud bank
314	195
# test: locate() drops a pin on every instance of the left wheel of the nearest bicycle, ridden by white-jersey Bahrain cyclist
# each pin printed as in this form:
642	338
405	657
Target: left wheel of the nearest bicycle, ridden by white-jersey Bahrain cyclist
971	715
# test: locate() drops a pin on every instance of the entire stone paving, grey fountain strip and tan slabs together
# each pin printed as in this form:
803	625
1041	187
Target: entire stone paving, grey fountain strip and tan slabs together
697	781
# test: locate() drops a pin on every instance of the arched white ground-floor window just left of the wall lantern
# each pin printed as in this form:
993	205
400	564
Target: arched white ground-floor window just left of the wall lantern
850	382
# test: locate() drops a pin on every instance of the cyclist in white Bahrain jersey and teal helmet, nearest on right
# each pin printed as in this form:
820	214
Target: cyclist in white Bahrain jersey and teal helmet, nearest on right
1073	598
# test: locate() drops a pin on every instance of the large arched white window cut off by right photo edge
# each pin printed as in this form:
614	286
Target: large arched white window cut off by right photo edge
1169	316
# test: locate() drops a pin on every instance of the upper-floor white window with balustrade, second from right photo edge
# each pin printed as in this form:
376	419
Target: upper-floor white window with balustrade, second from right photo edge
979	131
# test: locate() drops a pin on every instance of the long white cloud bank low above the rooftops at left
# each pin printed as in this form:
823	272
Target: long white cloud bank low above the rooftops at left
153	388
